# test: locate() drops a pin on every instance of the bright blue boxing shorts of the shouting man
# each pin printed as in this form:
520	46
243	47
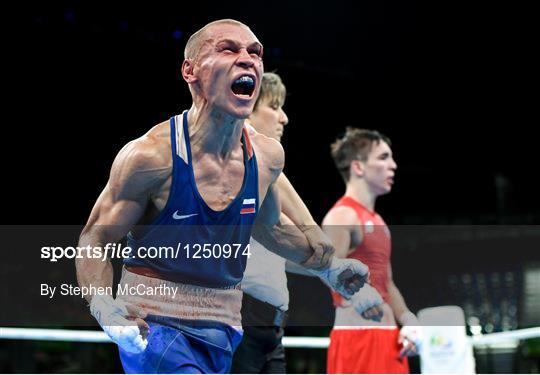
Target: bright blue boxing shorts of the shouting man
177	346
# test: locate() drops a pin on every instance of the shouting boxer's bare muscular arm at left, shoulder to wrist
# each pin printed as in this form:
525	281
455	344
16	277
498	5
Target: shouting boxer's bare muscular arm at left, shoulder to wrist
135	174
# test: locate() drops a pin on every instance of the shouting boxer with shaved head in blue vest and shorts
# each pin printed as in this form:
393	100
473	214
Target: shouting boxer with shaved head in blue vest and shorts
196	183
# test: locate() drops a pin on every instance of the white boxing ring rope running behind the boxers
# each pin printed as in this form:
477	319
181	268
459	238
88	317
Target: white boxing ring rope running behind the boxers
288	341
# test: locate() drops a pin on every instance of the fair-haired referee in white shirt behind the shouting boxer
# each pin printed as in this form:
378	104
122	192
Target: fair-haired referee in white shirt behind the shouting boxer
266	297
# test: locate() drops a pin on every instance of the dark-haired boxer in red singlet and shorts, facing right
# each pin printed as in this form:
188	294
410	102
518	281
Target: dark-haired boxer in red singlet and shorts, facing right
359	345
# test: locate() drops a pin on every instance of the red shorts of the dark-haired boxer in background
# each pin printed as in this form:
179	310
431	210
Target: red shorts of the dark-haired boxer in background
365	351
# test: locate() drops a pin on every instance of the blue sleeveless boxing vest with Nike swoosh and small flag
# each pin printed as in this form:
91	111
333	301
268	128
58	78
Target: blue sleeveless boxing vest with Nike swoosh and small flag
201	246
